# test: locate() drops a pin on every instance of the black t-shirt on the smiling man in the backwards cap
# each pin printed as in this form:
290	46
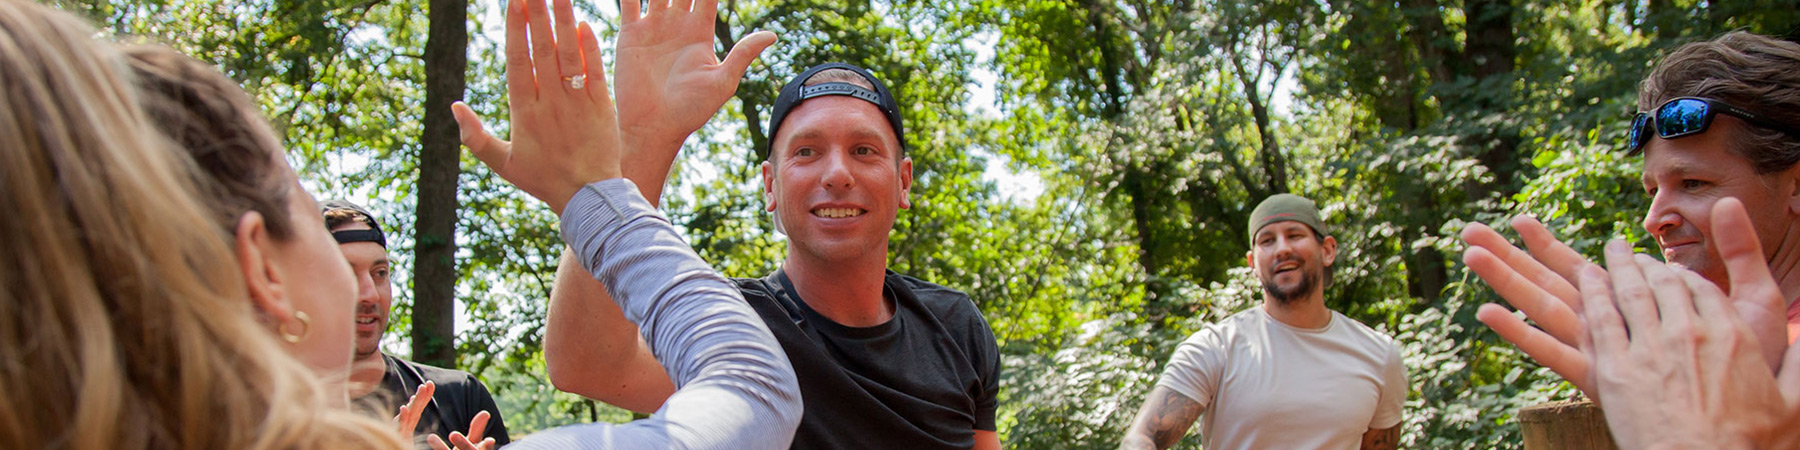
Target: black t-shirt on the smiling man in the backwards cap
926	379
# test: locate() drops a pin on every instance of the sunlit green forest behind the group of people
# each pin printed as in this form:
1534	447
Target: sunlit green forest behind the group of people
1084	168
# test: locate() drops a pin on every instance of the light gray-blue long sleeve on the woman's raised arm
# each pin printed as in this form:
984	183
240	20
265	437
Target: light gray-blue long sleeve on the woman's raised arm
735	386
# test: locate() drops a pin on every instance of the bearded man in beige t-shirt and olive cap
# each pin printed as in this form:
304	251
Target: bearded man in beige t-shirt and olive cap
1290	373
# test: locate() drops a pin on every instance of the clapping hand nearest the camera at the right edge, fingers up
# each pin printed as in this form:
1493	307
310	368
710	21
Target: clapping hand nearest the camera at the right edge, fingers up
1675	357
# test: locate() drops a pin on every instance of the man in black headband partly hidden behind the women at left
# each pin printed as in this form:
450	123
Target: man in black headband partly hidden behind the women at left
381	382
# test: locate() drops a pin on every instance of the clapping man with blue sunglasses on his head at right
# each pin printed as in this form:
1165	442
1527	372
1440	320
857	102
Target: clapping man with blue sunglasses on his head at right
1718	120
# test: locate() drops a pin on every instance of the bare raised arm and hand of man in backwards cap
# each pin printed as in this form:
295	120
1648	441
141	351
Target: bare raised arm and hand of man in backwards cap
669	85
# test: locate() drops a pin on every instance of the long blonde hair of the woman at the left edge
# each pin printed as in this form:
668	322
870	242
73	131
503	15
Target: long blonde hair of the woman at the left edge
123	319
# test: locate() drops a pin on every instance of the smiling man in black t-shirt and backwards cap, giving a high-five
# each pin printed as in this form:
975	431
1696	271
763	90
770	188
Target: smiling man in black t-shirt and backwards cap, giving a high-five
883	361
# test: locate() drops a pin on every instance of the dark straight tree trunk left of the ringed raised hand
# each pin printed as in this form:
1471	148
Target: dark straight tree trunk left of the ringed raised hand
440	165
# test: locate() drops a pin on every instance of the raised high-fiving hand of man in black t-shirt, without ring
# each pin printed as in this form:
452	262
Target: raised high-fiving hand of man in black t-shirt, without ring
670	80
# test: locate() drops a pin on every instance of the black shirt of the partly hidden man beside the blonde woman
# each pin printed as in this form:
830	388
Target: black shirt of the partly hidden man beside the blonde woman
456	402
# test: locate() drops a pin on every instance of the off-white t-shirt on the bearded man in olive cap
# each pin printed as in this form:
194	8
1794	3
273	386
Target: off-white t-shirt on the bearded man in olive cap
1264	384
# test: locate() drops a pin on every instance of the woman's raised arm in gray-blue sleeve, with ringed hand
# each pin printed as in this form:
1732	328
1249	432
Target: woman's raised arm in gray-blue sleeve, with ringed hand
737	386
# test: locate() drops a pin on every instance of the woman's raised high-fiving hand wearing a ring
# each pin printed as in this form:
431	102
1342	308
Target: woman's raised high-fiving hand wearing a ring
564	127
